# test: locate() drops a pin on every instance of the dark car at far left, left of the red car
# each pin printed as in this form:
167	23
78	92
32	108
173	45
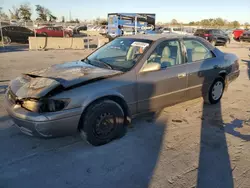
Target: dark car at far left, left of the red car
13	33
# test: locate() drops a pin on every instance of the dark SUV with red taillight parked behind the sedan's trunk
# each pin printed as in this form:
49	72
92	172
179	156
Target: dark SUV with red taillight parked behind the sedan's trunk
214	36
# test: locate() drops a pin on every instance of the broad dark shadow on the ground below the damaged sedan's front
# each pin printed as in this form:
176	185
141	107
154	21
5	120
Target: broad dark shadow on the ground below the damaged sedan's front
71	162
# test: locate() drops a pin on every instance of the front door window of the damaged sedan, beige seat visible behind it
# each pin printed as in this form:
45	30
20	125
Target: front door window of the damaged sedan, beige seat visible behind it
167	54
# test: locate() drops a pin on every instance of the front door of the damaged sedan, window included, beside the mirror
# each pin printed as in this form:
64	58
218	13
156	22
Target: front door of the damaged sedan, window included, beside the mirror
167	86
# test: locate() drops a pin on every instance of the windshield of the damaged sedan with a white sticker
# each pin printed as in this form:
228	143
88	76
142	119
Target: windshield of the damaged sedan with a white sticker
120	54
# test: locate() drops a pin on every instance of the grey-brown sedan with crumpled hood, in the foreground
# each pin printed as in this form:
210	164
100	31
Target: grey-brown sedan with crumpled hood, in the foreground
99	94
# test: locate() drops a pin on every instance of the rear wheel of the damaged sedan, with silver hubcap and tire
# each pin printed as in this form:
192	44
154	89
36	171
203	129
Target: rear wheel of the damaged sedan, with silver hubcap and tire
216	90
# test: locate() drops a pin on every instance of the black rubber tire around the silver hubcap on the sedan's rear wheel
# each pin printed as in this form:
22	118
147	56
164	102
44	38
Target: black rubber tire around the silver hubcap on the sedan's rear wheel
211	98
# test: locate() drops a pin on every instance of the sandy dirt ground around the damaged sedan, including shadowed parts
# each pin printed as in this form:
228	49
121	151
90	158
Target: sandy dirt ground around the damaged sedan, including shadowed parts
189	145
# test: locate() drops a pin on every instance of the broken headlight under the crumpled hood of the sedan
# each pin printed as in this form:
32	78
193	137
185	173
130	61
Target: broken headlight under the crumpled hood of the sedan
45	105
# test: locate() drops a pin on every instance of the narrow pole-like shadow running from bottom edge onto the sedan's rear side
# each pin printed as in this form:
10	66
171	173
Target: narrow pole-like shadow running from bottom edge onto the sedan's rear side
214	168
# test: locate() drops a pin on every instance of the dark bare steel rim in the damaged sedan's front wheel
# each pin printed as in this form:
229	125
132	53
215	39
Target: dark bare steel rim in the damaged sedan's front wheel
105	124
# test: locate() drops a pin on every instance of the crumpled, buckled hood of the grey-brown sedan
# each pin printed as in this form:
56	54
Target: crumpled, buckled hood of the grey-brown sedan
58	77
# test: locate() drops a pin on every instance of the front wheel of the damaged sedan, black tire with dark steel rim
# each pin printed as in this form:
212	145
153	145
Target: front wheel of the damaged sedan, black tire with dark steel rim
96	121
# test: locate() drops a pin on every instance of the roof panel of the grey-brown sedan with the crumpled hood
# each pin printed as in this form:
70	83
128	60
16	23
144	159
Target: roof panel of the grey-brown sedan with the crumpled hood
155	37
